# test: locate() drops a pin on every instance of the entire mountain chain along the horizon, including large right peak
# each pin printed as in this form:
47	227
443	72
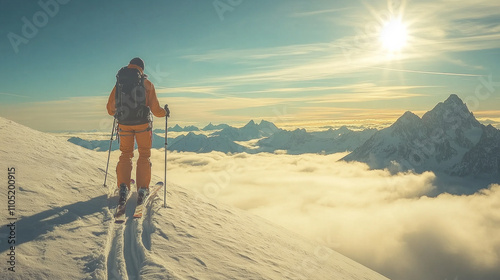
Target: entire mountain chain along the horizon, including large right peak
448	139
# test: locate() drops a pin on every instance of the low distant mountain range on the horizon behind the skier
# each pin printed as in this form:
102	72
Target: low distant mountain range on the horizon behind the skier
269	137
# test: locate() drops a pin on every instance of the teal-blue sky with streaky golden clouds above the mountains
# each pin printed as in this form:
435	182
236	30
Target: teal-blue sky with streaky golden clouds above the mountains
293	62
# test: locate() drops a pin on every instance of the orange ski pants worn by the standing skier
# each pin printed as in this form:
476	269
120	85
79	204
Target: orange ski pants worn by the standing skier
143	135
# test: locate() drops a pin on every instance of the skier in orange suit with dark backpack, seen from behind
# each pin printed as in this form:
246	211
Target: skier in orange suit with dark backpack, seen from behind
131	107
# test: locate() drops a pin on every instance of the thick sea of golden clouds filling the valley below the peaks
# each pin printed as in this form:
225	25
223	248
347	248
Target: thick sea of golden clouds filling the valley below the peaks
381	220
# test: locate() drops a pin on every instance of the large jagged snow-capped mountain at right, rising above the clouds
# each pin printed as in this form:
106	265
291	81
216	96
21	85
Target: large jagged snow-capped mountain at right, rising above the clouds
446	139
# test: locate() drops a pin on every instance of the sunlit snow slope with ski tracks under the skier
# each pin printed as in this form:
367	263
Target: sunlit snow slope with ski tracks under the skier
65	229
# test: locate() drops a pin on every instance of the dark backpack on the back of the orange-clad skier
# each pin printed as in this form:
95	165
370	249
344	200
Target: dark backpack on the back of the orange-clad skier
130	97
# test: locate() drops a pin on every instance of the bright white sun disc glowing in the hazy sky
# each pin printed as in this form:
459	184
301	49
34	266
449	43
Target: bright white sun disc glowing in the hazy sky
394	35
